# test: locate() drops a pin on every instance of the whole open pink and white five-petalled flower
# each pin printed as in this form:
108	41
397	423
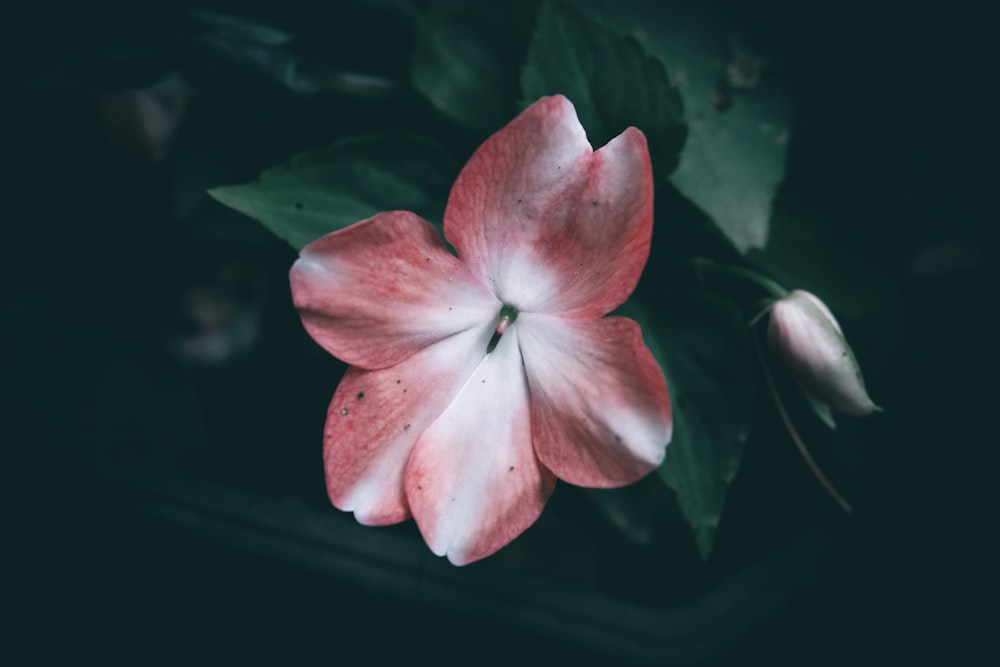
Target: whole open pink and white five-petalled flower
477	380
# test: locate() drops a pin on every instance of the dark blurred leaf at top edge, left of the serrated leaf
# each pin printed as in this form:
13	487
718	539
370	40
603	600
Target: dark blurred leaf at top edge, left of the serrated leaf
468	57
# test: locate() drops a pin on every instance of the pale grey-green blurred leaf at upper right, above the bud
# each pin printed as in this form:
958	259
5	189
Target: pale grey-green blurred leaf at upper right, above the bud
734	159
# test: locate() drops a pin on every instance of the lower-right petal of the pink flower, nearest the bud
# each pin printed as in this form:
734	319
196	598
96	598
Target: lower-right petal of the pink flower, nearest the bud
599	404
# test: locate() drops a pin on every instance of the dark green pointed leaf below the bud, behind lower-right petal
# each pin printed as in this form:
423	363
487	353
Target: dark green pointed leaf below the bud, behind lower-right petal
704	349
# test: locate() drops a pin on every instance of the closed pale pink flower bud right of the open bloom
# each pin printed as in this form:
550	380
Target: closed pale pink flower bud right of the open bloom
804	334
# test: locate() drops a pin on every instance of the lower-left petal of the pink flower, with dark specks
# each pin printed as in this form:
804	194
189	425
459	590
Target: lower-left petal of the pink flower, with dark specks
375	418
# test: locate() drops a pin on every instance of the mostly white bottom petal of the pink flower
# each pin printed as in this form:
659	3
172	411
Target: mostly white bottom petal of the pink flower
473	481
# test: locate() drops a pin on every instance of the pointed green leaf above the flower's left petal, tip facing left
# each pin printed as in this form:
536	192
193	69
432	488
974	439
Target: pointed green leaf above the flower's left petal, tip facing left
325	190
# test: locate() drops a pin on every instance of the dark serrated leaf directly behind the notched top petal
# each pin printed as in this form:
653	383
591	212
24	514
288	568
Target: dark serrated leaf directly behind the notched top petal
610	79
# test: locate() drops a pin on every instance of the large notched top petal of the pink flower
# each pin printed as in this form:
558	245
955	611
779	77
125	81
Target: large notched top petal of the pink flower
549	224
